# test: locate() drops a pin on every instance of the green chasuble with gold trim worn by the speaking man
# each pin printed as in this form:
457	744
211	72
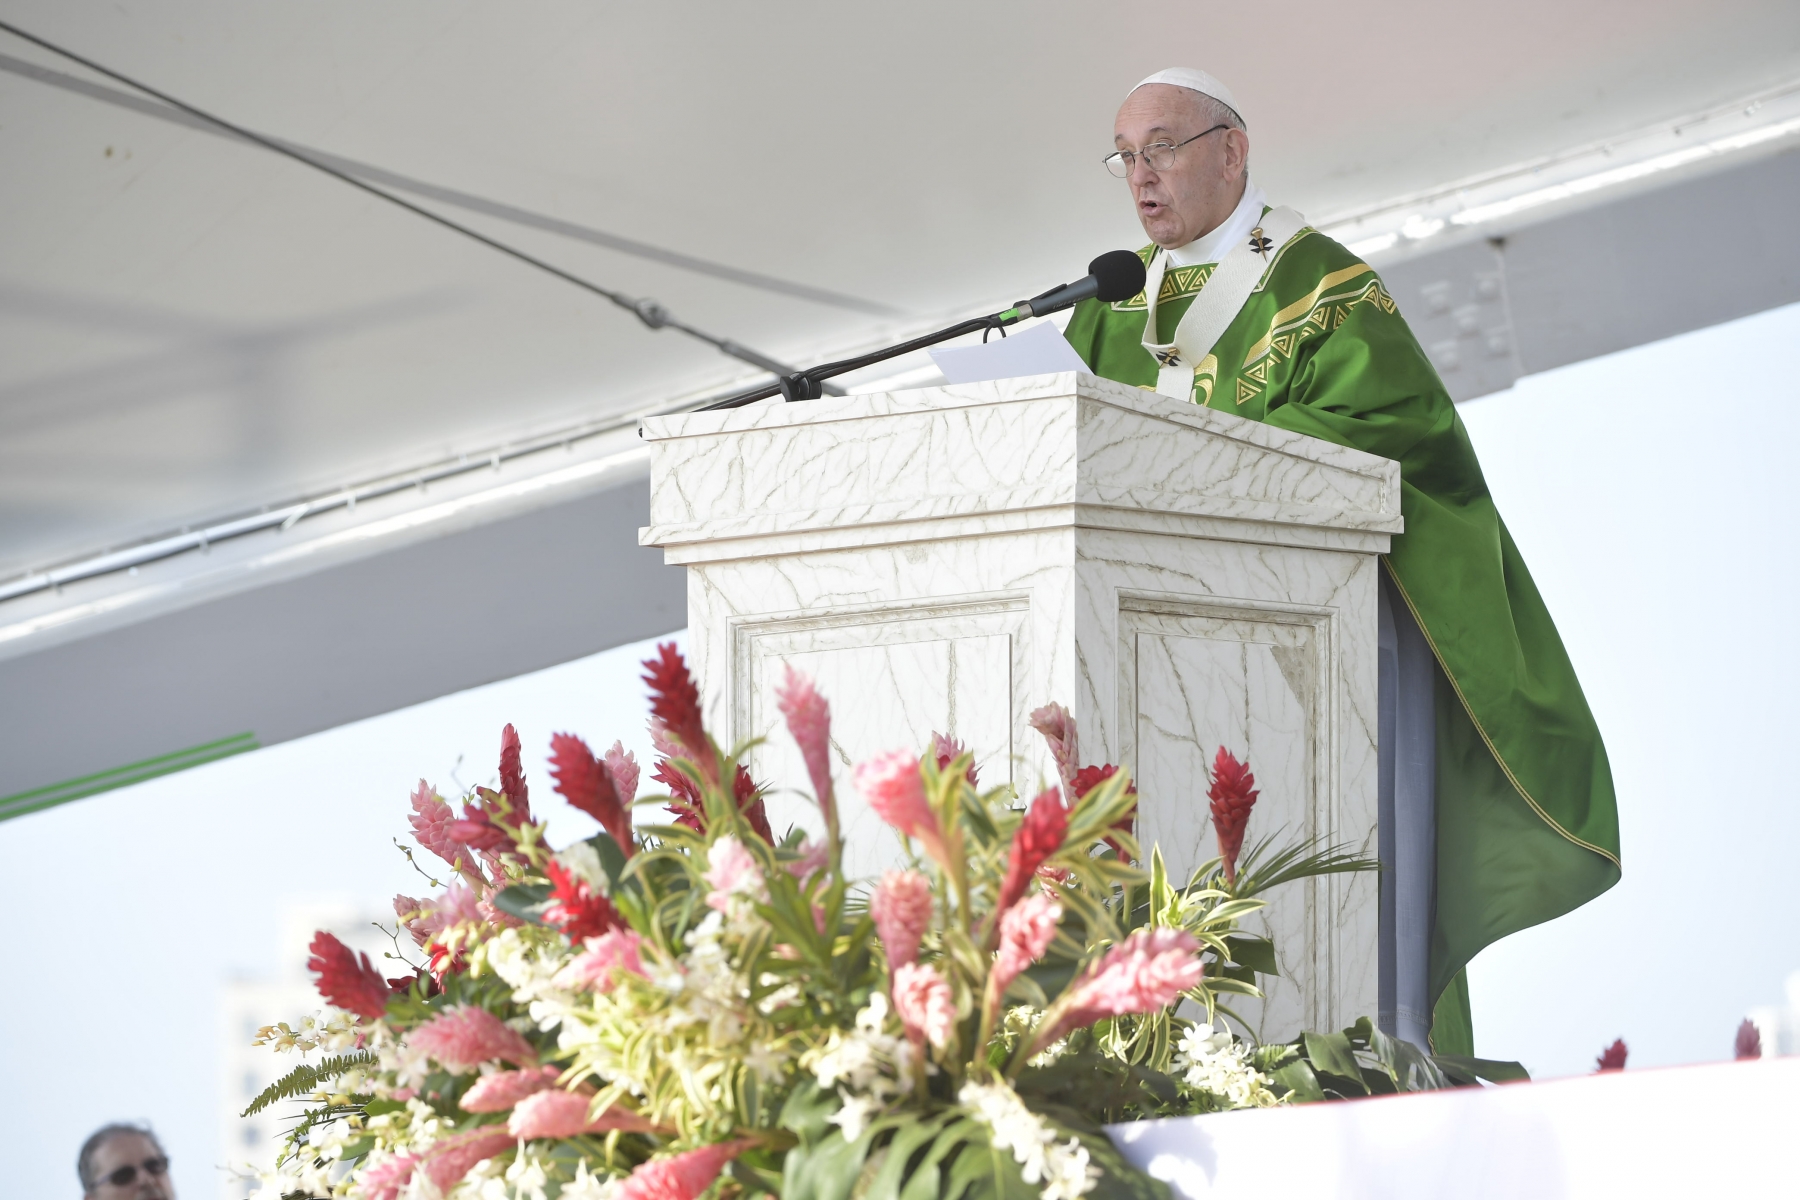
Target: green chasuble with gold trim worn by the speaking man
1527	821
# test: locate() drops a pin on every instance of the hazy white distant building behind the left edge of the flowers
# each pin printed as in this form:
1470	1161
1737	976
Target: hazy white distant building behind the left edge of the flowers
247	1005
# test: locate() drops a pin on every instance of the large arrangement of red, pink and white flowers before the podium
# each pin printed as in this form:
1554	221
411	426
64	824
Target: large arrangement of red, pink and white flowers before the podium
663	1010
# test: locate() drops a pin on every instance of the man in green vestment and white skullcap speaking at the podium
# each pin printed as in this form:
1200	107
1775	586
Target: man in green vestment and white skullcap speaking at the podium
1497	796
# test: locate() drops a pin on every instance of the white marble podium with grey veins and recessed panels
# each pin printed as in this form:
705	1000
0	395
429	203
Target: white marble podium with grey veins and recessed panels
953	559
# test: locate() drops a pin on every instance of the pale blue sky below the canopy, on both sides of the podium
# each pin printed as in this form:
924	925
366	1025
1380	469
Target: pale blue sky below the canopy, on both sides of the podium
1650	494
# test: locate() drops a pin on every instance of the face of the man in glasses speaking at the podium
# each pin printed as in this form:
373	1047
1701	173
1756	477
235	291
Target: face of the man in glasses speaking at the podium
1207	181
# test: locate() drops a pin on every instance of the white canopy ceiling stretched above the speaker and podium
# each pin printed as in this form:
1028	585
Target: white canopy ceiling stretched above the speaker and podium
193	328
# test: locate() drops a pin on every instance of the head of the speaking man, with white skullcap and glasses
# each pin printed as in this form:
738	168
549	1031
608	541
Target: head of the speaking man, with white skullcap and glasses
1185	154
